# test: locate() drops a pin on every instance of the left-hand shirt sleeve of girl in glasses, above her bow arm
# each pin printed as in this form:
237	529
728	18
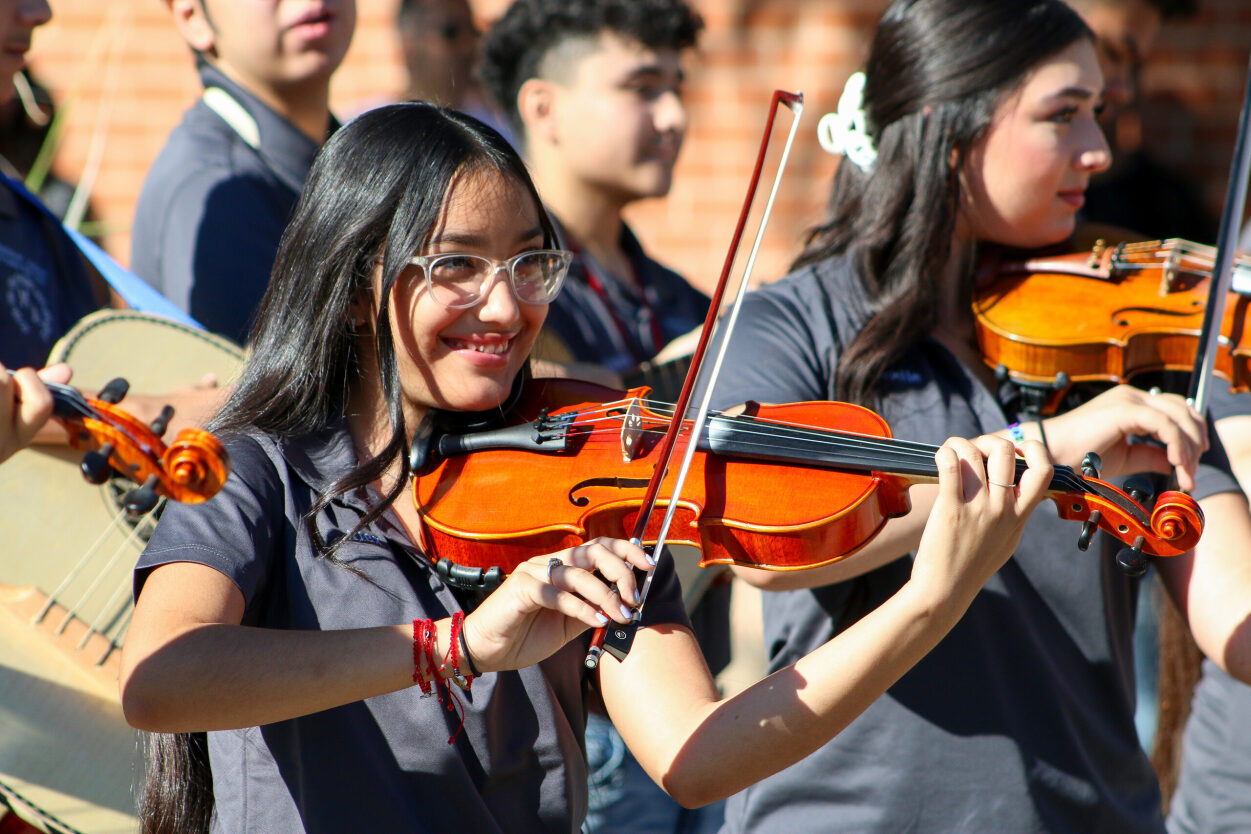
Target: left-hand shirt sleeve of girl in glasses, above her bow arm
237	533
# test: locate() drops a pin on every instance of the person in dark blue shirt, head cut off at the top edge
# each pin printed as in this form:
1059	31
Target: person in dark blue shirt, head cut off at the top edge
218	197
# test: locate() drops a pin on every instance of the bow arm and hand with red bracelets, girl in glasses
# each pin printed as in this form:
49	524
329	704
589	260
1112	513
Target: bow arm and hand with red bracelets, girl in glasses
190	666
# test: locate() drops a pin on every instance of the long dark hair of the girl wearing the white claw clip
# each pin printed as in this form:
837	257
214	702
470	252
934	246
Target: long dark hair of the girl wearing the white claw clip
936	72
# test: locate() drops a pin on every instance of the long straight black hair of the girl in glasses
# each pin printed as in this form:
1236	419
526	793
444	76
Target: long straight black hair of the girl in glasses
376	191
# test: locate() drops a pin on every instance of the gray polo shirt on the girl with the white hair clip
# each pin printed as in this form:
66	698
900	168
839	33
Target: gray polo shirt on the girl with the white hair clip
1023	718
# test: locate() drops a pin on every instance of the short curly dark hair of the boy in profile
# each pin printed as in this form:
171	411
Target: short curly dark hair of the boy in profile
516	46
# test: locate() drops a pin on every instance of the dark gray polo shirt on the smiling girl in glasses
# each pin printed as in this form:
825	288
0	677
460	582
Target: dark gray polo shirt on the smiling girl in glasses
382	765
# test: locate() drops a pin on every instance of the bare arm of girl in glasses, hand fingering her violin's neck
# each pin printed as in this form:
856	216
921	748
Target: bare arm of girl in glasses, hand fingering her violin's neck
700	750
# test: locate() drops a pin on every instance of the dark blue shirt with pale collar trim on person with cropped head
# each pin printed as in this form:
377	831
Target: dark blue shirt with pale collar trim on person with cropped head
215	206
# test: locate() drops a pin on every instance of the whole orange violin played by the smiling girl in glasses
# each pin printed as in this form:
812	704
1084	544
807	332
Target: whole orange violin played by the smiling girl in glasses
587	455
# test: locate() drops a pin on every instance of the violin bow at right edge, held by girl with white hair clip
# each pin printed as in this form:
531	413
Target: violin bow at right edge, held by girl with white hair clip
1223	269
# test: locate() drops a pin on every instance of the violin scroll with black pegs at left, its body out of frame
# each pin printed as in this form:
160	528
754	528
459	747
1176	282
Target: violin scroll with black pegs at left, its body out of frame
191	470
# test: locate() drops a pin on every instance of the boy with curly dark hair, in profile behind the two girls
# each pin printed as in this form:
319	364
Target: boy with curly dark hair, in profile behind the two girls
594	92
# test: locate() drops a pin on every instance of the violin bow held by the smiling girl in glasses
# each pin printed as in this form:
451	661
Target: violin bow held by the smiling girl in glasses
619	641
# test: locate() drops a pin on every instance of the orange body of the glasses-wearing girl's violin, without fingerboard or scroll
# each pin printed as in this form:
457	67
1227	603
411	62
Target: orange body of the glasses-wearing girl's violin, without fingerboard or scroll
595	490
